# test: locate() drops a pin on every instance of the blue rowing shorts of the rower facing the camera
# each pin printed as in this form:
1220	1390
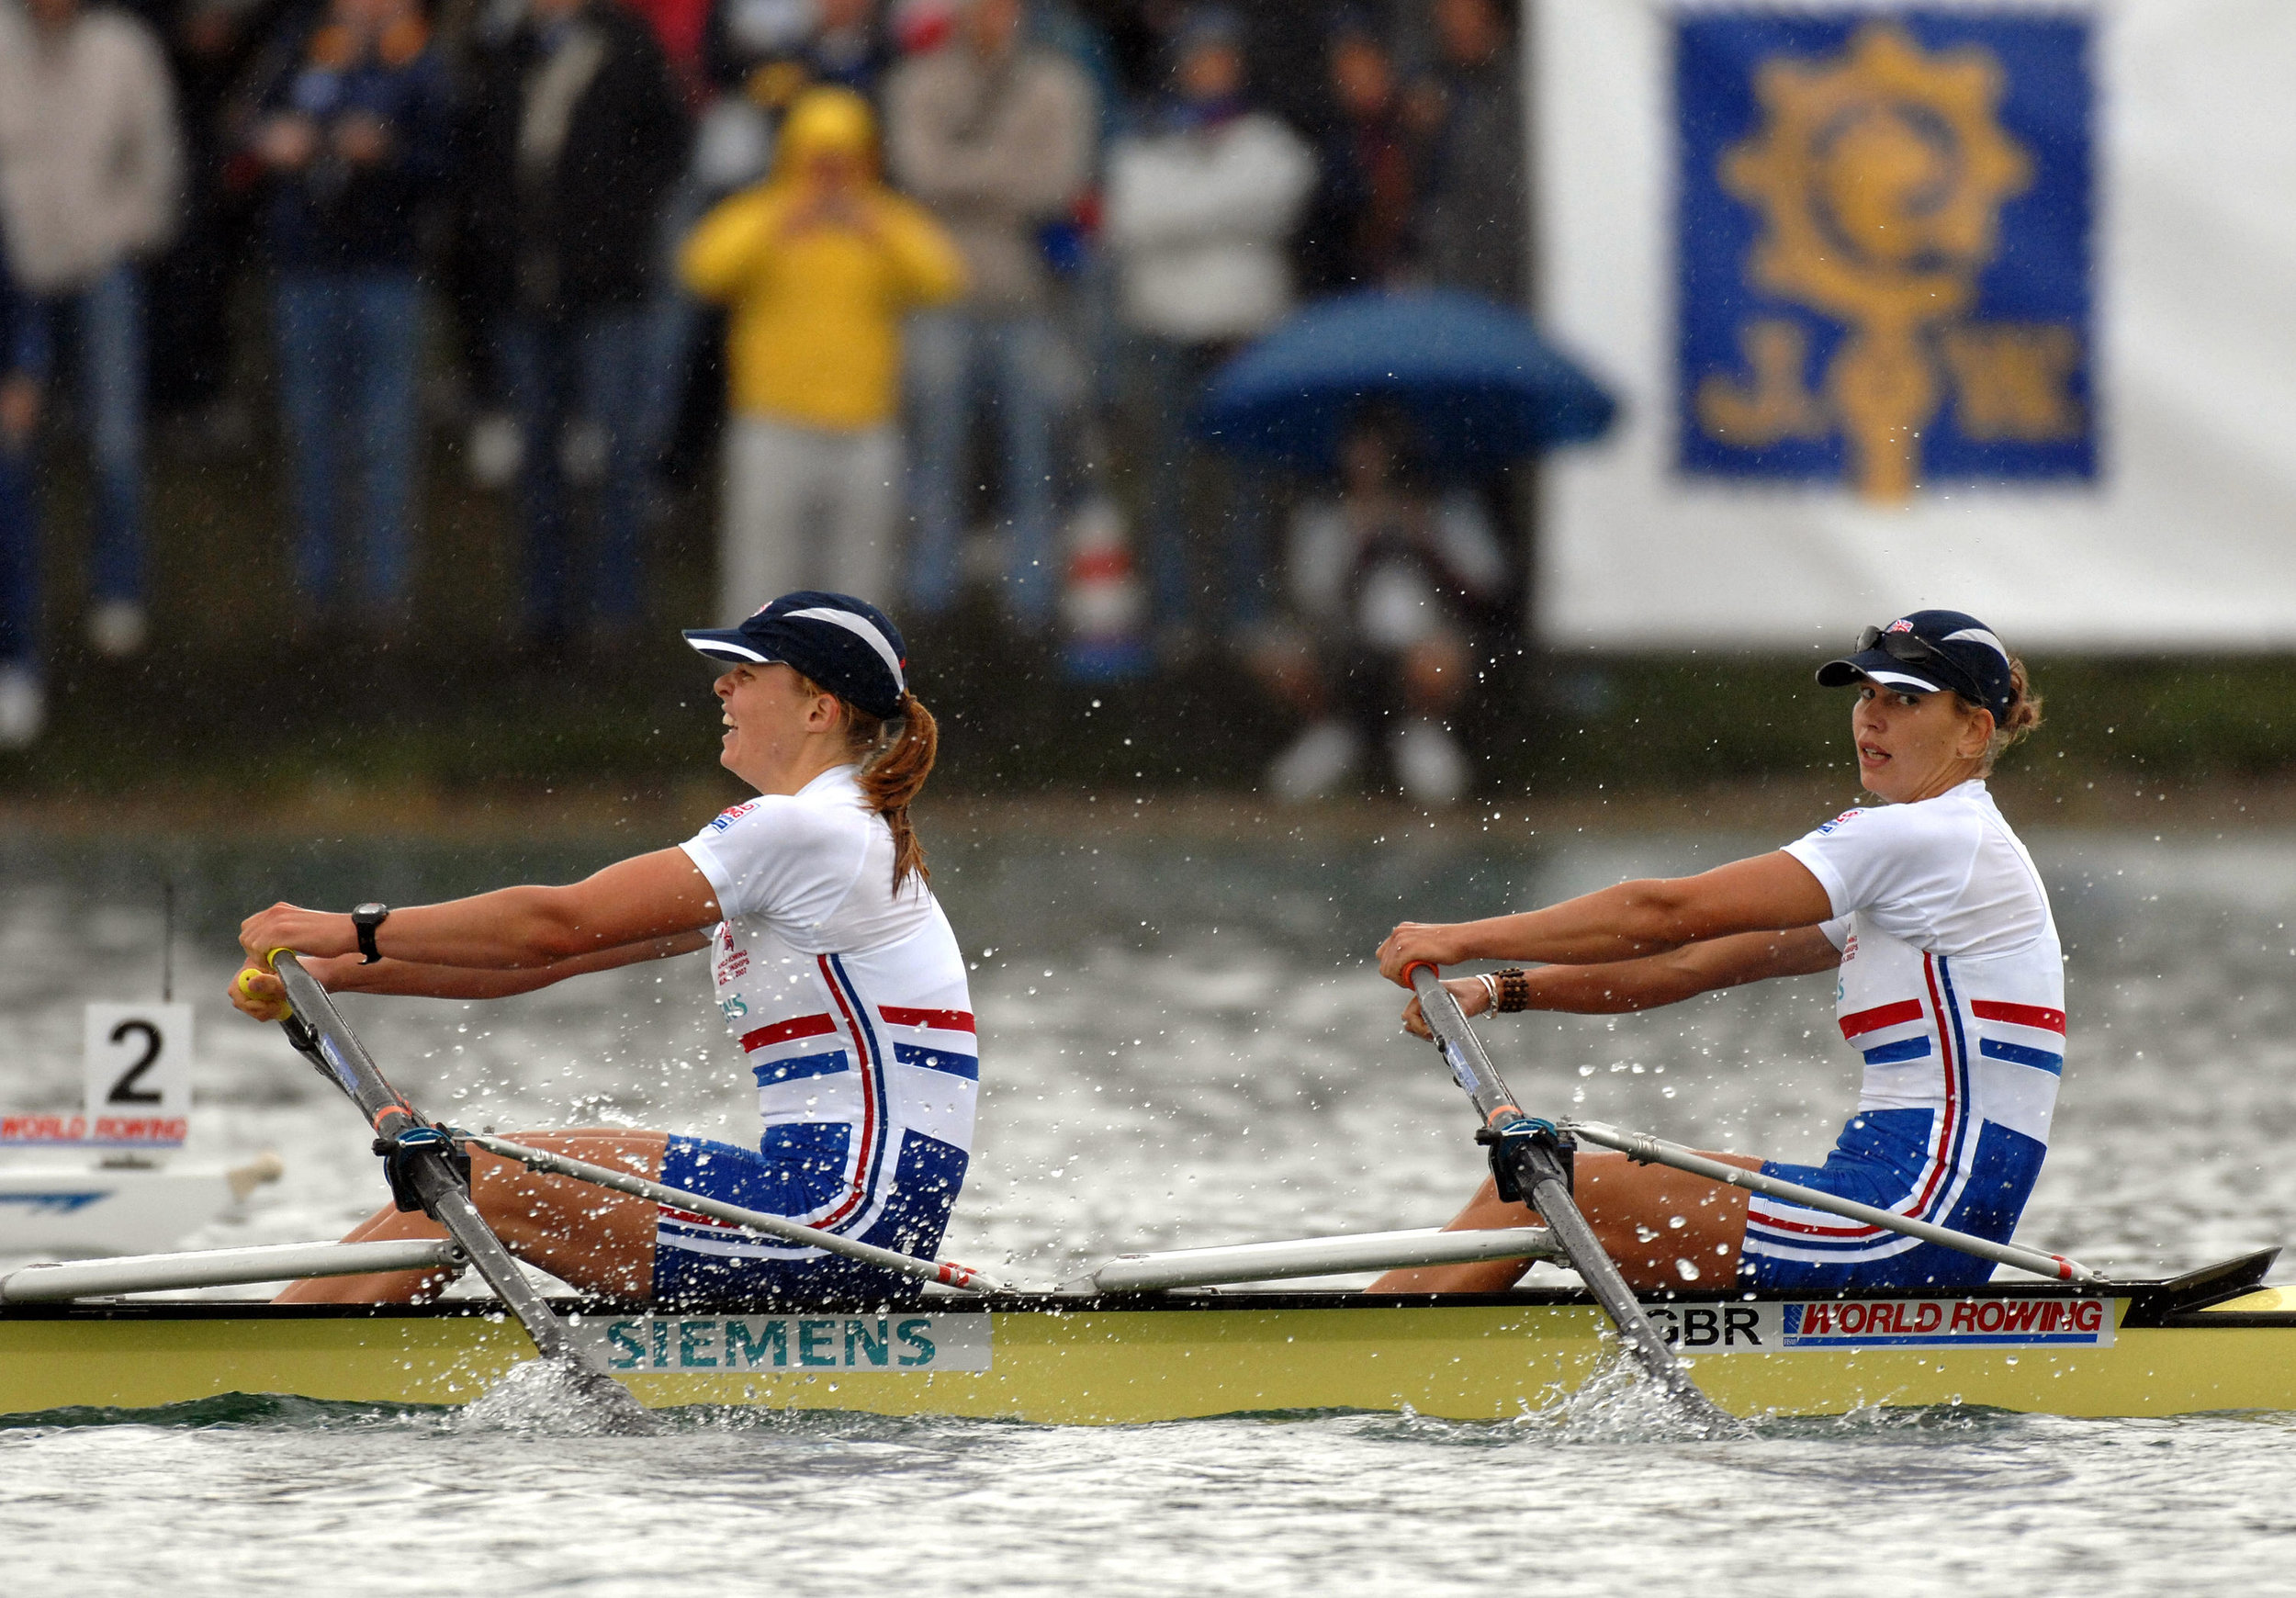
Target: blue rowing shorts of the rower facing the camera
1886	1158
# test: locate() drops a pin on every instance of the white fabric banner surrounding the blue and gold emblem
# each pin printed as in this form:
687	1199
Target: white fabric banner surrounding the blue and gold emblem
2185	536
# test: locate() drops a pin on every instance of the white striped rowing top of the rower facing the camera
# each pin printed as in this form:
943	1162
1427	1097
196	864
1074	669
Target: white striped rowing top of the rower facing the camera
1953	991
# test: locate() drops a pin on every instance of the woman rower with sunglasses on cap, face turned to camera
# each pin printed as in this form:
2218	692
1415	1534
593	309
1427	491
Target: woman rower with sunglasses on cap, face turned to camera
1950	984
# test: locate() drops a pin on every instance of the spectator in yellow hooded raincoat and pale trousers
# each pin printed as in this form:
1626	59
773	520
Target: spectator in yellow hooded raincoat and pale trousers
819	267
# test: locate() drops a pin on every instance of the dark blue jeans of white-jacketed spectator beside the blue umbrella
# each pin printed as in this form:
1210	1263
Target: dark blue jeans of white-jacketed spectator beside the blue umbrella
1170	385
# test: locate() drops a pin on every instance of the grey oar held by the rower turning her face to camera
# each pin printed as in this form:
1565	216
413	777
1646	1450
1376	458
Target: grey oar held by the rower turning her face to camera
1528	1165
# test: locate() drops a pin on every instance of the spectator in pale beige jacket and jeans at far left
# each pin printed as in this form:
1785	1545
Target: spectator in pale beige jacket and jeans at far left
91	176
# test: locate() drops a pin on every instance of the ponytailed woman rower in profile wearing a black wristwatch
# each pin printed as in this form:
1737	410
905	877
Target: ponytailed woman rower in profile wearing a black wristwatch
832	961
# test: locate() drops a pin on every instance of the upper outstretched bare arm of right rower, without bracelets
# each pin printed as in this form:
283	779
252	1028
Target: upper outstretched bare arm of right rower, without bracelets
1627	922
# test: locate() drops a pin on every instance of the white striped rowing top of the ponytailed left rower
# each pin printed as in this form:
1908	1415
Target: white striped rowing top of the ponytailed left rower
851	1007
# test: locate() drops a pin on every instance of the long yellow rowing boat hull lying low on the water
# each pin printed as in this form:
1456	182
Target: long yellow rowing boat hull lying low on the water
1101	1365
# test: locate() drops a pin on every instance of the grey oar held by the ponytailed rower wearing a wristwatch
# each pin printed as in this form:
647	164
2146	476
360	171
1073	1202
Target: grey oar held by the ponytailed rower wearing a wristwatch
428	1172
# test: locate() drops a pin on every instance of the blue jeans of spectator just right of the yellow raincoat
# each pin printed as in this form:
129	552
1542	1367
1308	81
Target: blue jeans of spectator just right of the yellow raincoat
949	355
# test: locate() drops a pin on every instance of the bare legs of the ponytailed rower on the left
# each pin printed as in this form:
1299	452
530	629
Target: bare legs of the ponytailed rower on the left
587	1236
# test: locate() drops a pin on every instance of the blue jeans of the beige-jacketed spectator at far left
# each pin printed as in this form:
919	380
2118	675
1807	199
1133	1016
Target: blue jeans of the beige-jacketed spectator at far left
107	325
